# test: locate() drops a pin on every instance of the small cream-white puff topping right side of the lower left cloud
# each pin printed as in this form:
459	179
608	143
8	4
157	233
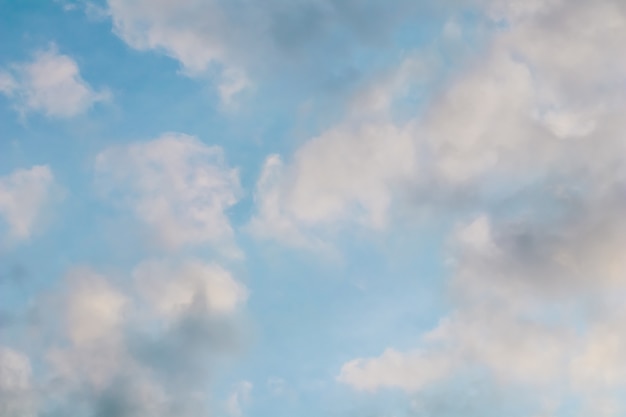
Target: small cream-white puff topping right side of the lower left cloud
173	289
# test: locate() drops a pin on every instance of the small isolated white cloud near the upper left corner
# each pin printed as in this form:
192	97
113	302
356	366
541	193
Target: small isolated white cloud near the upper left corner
51	84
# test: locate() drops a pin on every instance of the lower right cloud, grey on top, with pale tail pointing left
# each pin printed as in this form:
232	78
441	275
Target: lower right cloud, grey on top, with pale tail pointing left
521	292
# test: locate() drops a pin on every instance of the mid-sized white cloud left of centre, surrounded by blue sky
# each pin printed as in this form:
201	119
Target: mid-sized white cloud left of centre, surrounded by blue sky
176	185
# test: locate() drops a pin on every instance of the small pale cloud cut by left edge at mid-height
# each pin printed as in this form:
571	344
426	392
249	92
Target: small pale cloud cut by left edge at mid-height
24	194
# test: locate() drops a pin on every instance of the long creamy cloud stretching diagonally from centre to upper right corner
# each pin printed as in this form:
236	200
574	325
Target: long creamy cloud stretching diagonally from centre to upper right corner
509	118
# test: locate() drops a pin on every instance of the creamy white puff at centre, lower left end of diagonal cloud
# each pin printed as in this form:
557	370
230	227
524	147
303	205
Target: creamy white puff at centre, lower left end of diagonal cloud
347	174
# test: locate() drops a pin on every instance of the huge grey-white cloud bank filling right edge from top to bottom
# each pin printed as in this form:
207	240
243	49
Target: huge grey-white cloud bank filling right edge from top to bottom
534	124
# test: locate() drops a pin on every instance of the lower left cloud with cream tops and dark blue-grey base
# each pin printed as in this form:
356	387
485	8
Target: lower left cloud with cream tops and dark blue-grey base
113	356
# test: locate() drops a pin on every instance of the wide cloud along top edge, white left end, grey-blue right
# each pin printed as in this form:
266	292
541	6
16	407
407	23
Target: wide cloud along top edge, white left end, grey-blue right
197	33
